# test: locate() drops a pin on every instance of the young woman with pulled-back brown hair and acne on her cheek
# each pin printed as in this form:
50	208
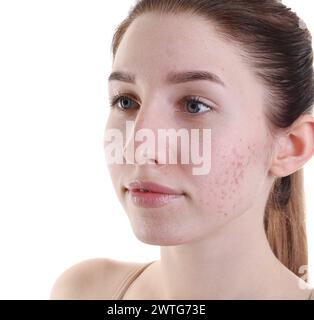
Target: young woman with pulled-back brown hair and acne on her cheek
244	70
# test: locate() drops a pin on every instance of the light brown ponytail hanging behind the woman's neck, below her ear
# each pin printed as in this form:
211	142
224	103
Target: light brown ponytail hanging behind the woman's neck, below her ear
284	221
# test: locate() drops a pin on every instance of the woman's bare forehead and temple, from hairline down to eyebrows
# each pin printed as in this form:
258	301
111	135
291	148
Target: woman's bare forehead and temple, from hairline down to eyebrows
155	44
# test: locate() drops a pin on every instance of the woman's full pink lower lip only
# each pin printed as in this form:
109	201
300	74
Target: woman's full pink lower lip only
151	199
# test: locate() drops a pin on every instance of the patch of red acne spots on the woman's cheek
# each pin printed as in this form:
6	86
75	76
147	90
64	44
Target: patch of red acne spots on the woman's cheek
225	190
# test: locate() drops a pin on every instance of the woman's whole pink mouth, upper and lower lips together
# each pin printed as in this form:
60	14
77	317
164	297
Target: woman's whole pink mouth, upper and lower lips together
147	194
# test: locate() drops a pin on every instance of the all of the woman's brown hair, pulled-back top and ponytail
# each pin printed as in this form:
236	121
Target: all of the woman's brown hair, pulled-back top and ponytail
278	48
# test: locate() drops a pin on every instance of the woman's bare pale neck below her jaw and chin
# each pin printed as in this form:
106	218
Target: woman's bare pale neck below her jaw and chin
235	262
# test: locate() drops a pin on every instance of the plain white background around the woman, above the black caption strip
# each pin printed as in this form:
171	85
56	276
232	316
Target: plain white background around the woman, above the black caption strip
57	204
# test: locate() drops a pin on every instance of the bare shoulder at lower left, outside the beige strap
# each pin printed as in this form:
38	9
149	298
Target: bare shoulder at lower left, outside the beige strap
92	279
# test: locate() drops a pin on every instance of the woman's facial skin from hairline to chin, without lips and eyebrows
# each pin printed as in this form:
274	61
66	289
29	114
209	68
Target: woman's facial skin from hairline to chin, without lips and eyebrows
238	179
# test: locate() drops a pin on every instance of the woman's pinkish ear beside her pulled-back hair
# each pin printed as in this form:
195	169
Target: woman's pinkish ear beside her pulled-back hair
294	147
